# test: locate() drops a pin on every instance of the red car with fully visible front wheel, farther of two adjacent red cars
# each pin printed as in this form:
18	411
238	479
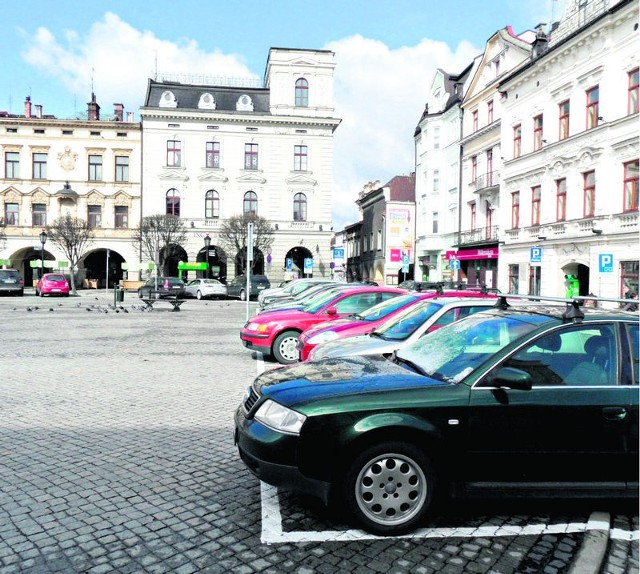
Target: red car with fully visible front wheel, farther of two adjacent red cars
275	333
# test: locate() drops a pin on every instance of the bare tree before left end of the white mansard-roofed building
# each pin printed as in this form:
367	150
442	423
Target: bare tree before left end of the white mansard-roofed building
157	237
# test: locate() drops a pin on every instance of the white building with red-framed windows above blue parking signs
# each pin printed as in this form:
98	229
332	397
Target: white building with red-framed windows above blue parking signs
569	133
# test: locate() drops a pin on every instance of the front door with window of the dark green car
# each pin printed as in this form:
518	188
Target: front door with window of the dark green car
566	429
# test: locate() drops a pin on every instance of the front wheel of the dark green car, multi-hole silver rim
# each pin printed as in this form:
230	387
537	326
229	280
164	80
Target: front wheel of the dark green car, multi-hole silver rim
389	487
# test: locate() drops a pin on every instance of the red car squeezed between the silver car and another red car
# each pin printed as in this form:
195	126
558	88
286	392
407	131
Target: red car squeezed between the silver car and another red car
367	322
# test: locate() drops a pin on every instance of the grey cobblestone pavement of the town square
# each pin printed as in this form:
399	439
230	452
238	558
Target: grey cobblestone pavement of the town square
117	455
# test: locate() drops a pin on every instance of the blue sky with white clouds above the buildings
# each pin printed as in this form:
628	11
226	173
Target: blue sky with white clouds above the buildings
386	54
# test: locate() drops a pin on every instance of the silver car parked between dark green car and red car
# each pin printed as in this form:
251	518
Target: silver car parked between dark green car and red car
400	330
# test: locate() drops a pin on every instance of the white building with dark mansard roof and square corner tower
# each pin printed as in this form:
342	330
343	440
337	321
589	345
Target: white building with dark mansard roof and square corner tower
214	152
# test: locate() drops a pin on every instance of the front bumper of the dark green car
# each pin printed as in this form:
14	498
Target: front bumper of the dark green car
271	456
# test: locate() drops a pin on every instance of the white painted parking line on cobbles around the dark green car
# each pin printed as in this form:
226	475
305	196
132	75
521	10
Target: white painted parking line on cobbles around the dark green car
272	532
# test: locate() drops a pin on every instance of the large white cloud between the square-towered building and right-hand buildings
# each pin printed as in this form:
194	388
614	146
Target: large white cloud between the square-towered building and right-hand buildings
380	94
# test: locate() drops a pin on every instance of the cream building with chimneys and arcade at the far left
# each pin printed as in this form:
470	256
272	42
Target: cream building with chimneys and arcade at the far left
89	168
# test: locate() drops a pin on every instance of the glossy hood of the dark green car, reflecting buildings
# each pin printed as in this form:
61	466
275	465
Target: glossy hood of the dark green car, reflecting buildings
332	379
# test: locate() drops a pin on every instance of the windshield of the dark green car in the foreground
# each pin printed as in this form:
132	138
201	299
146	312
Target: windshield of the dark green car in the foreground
452	353
